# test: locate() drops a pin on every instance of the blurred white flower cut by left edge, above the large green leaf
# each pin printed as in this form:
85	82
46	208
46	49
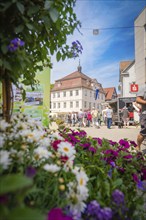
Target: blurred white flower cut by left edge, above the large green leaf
5	161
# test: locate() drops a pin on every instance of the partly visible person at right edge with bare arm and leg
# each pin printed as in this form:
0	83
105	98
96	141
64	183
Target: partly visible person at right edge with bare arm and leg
141	99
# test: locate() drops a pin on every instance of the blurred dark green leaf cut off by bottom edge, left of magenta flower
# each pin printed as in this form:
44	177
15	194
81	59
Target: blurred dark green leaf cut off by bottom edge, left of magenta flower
25	214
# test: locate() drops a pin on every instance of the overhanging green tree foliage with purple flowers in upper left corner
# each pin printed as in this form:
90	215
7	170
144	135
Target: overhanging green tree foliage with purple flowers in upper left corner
30	32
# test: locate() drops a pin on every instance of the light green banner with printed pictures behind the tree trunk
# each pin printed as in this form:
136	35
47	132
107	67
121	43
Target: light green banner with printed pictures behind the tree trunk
37	102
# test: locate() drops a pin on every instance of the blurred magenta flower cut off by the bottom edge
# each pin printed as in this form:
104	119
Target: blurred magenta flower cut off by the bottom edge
57	214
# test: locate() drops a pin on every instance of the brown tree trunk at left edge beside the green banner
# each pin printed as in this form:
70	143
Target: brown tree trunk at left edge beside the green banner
6	98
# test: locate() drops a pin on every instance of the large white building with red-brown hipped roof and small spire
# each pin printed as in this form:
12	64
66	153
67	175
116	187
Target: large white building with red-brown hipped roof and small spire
76	91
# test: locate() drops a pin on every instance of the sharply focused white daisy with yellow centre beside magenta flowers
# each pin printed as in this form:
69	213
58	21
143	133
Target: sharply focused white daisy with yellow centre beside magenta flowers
66	149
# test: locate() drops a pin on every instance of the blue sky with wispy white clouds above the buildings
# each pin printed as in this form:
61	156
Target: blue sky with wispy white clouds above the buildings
102	53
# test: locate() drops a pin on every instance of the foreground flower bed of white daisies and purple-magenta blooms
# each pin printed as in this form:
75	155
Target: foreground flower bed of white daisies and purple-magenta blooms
66	175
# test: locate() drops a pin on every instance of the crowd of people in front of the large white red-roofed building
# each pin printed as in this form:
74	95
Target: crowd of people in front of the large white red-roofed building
91	117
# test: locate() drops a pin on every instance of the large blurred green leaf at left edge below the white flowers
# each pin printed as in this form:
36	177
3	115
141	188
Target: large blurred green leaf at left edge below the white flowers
13	182
